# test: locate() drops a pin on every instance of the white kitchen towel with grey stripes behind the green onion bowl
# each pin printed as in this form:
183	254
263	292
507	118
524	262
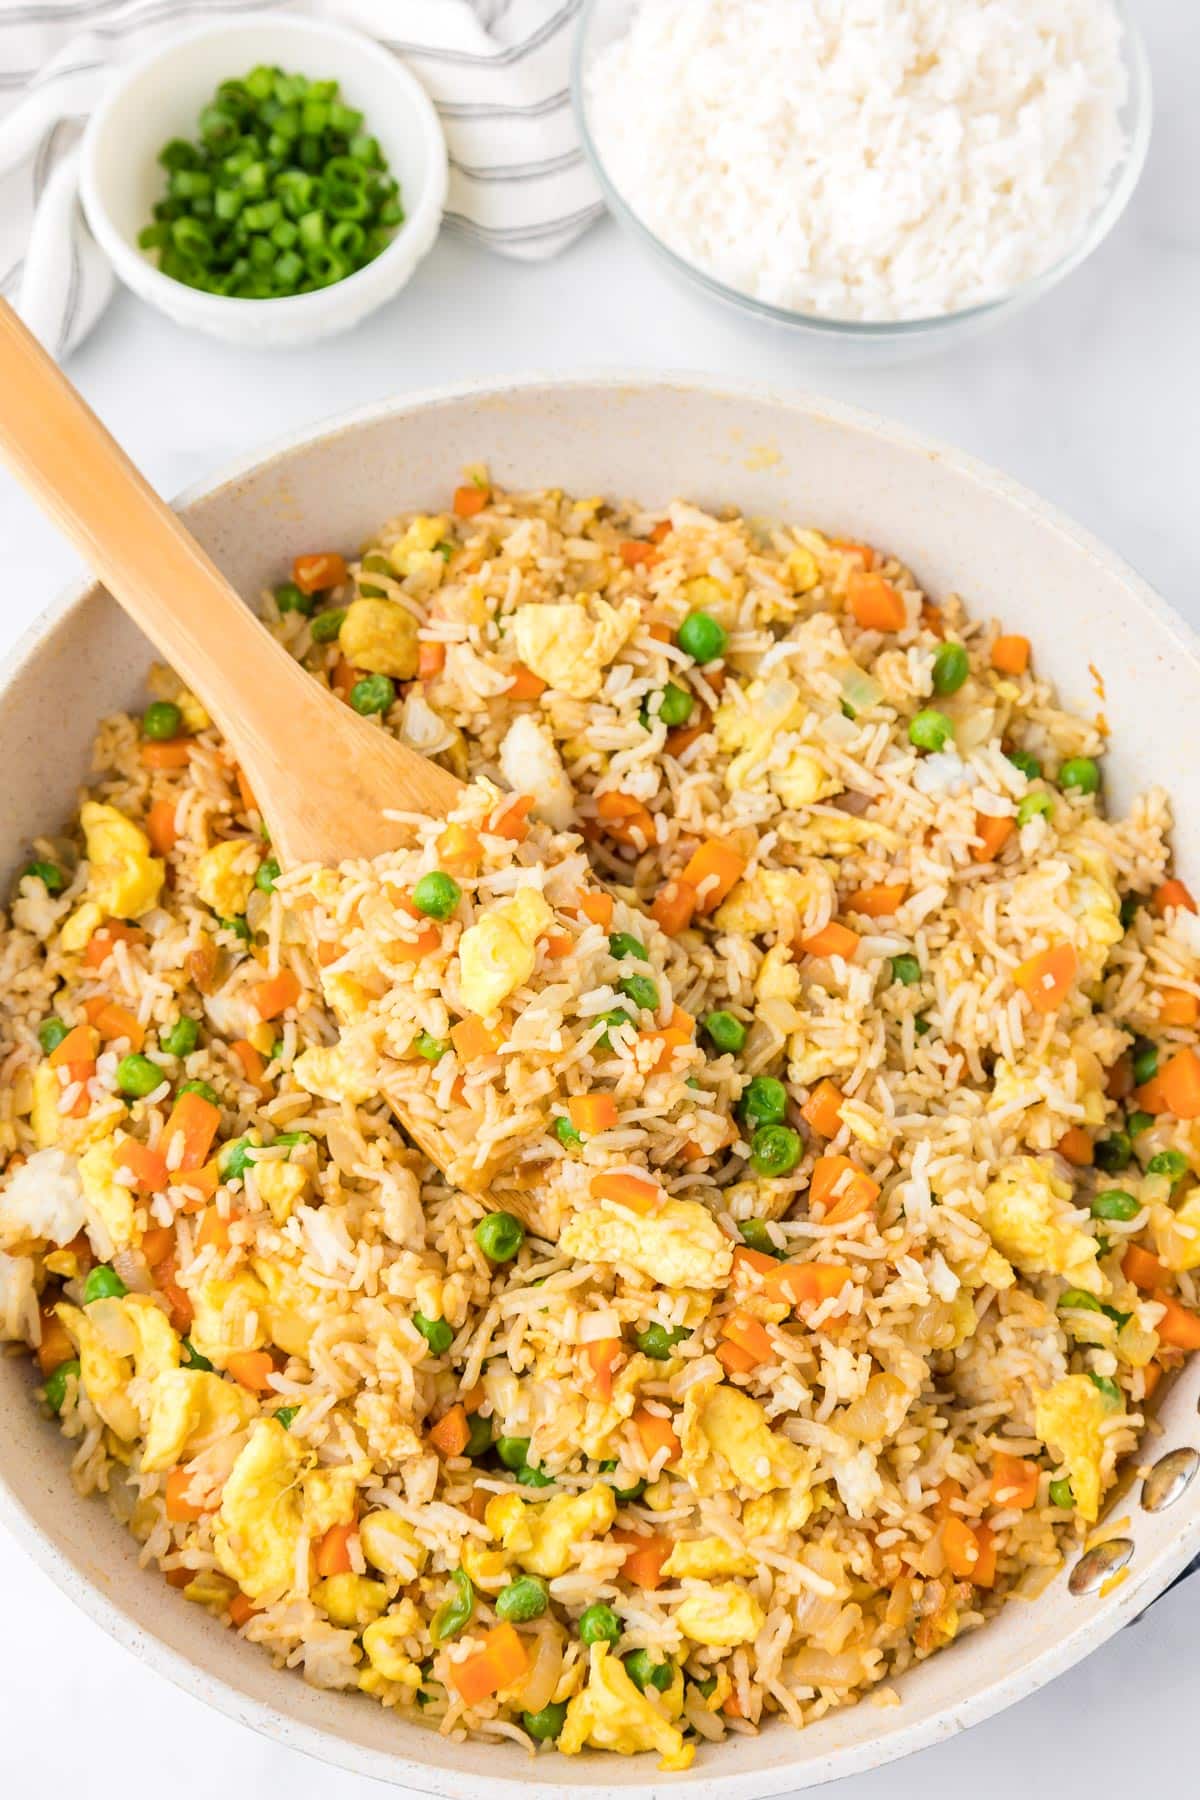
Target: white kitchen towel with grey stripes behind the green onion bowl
496	71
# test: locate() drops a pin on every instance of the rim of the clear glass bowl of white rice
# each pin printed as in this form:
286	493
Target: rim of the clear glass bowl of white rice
1102	222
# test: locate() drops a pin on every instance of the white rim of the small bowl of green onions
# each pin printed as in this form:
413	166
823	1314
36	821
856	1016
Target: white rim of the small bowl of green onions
415	233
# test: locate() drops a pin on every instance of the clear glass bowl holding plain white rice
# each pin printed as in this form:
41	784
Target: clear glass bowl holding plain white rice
605	21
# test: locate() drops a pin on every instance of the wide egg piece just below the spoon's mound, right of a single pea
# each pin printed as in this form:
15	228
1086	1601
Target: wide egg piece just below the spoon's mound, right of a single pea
681	1245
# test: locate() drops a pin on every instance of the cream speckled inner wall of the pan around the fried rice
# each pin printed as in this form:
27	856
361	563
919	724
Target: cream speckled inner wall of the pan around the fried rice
963	528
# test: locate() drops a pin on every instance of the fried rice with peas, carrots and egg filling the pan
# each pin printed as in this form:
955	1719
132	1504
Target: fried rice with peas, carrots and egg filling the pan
812	1066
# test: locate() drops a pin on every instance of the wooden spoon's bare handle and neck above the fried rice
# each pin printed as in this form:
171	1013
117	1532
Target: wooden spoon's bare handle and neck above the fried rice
321	773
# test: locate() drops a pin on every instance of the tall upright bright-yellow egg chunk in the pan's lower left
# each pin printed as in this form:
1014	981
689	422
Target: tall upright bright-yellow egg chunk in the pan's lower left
258	1525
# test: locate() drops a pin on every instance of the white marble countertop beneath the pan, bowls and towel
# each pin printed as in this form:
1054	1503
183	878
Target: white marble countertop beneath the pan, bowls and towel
1093	399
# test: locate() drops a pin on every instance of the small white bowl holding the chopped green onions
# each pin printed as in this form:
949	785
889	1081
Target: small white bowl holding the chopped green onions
161	98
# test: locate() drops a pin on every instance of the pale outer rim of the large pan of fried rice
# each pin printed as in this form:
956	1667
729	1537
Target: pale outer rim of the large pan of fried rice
276	1722
